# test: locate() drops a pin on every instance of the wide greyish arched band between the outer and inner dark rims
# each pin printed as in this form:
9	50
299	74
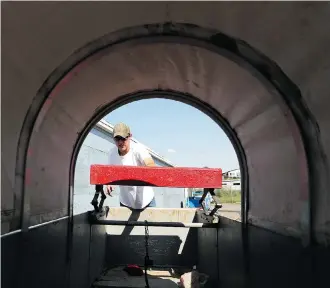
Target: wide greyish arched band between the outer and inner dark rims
206	72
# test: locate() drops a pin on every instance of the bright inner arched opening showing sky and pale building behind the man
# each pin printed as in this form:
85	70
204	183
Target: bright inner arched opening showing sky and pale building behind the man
160	123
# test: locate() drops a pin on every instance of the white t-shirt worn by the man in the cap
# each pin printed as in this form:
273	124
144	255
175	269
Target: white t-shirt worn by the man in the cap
136	197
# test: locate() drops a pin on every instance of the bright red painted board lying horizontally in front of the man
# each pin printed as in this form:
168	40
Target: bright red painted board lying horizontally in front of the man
156	176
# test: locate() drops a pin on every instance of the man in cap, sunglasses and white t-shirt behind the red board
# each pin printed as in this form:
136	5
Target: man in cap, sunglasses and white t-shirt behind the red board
129	153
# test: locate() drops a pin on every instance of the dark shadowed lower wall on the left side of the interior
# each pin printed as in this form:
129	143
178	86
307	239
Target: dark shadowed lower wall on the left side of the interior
42	258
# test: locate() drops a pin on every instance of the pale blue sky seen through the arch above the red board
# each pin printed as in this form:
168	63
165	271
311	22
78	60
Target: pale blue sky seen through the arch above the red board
179	132
